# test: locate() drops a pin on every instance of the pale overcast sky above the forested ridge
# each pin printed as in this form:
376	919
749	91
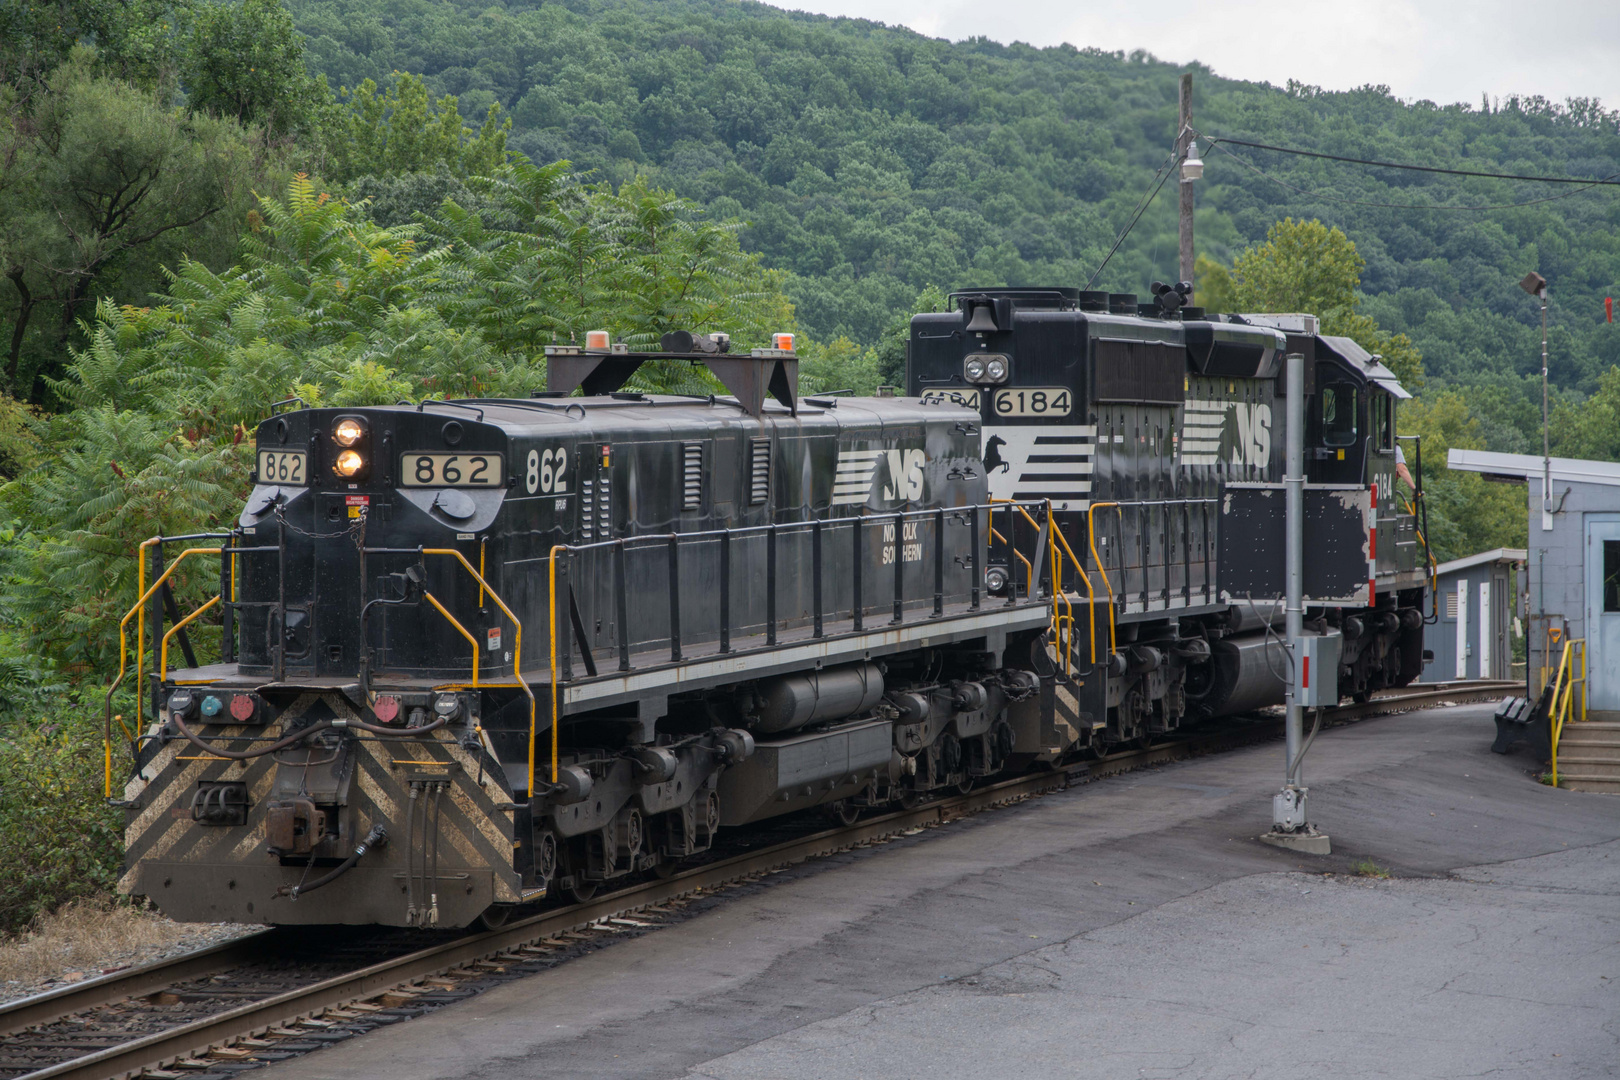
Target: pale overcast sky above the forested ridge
1444	51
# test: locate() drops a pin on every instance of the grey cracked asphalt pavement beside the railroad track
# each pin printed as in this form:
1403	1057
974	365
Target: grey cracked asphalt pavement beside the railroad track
1125	929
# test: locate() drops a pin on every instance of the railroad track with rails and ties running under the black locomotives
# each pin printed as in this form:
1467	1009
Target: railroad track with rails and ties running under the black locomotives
279	993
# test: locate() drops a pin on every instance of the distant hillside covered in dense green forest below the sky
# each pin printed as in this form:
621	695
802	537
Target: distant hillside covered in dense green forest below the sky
872	163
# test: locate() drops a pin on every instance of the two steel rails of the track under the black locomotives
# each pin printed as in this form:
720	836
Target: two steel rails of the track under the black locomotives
198	1037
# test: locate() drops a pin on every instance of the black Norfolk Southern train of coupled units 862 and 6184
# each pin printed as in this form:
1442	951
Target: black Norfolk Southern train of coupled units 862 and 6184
480	652
